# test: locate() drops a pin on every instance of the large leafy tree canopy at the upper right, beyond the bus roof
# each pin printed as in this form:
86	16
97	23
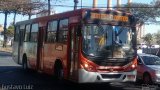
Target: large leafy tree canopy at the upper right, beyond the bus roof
144	12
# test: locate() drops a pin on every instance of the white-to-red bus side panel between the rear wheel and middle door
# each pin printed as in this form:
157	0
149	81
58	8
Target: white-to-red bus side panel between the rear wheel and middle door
30	48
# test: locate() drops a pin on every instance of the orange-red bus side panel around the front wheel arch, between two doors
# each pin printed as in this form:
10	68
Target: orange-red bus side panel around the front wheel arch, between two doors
52	52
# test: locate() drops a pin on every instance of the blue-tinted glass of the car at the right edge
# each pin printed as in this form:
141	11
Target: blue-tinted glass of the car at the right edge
151	60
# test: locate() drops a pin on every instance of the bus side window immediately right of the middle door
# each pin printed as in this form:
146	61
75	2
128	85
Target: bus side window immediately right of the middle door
51	32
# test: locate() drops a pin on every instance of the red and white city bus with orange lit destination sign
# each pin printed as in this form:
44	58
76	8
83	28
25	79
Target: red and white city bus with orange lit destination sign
84	45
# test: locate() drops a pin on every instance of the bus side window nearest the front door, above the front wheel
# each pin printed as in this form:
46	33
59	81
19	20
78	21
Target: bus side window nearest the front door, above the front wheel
63	31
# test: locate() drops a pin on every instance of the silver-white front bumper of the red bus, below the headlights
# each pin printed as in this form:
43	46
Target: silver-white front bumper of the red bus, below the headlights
93	77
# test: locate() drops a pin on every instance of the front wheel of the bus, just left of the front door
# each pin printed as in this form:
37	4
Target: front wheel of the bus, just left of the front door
58	72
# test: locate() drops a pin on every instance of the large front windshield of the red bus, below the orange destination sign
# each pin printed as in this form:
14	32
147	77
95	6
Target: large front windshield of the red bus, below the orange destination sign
107	41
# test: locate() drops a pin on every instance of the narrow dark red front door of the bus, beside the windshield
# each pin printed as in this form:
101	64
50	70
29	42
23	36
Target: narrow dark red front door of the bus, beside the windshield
73	53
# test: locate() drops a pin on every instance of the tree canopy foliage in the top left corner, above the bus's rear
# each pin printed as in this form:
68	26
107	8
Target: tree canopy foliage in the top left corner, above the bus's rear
21	6
